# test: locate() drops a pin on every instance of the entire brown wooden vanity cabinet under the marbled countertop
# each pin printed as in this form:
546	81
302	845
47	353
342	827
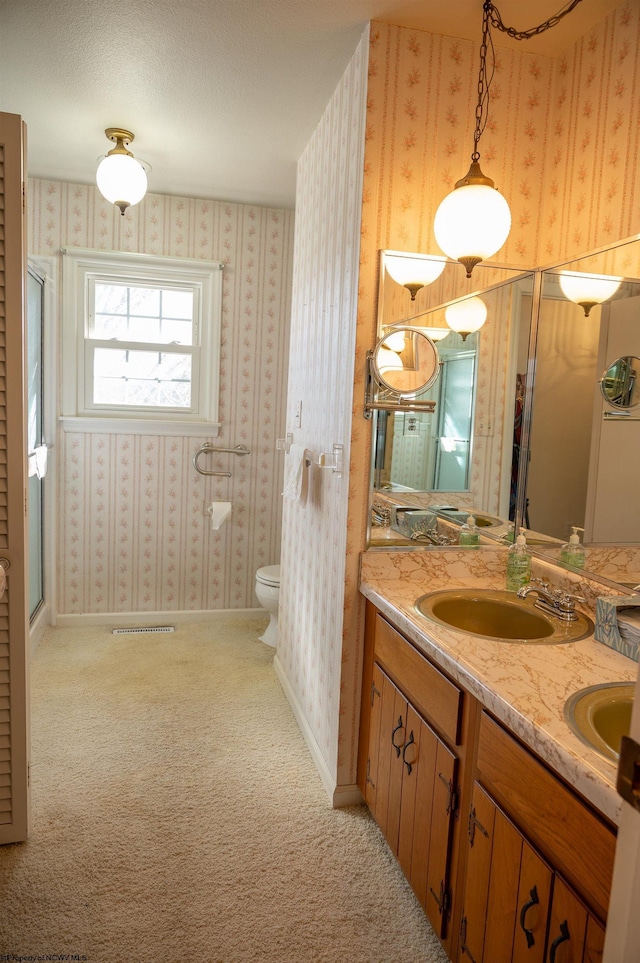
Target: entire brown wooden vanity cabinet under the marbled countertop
509	863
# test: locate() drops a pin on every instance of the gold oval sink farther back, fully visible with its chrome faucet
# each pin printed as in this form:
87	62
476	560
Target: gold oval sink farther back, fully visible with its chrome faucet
499	615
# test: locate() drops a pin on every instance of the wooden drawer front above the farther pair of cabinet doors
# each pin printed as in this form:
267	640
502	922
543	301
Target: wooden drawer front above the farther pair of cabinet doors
434	695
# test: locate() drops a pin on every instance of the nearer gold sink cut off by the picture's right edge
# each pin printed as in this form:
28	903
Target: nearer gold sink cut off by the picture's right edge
600	716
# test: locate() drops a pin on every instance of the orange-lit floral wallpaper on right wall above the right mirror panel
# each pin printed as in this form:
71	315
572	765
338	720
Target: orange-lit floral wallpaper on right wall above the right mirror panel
592	191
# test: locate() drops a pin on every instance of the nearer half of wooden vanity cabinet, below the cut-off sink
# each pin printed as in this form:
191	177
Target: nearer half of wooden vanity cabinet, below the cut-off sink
518	904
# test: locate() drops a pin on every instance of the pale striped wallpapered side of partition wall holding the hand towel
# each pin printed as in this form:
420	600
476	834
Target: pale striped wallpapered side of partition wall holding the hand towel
316	650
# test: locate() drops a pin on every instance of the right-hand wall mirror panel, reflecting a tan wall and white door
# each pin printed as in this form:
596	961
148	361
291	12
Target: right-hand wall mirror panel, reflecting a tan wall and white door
584	440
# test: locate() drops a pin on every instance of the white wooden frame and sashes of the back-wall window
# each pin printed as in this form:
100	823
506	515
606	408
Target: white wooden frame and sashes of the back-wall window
80	270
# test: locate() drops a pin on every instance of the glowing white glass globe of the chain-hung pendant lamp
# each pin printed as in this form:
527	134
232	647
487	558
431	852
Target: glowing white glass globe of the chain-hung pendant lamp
472	221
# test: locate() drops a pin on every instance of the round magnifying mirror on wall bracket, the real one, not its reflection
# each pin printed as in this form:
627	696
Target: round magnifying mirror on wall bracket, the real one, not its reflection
405	361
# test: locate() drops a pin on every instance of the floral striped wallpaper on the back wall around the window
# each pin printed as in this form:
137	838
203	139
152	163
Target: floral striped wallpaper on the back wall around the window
132	533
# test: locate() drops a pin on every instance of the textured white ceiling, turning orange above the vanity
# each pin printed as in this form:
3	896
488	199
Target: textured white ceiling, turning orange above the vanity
222	95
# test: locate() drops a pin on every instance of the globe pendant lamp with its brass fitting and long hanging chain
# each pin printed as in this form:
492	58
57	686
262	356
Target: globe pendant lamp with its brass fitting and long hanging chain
474	220
